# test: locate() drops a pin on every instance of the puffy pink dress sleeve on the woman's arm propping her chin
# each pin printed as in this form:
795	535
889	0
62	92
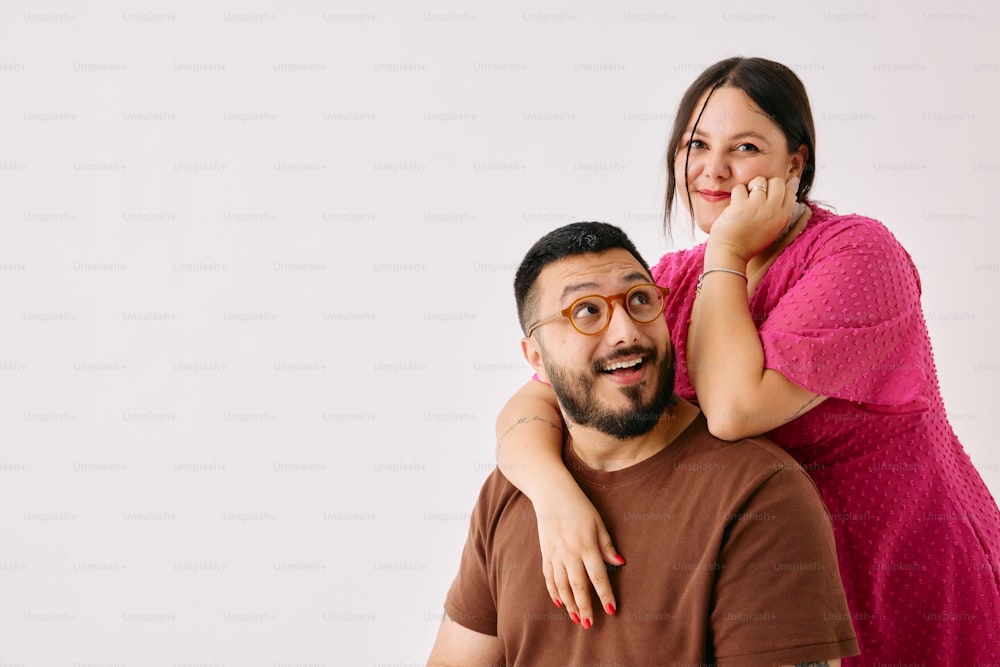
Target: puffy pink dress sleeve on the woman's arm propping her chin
848	323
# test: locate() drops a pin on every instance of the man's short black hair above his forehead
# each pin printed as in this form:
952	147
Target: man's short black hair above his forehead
578	238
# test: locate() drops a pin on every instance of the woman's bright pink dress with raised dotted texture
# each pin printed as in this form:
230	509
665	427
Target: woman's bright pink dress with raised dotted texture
918	533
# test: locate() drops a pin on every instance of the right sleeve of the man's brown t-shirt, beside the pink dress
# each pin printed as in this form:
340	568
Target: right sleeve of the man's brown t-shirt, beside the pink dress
778	597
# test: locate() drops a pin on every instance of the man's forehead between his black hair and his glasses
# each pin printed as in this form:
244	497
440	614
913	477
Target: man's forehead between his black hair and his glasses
591	272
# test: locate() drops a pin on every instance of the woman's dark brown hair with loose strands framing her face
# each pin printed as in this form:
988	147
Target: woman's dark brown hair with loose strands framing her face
774	88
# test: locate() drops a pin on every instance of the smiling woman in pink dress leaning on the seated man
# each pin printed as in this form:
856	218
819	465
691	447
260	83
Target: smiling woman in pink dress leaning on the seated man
805	326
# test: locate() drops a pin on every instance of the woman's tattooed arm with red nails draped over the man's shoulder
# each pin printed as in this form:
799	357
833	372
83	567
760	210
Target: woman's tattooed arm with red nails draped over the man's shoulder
572	535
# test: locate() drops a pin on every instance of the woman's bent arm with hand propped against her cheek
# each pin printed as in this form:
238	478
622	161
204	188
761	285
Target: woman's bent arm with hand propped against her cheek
739	397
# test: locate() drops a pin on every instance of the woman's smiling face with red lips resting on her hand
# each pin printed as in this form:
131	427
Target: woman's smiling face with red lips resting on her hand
734	143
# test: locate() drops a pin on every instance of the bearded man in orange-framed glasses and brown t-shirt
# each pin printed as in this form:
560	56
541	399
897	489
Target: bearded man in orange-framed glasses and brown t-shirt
731	552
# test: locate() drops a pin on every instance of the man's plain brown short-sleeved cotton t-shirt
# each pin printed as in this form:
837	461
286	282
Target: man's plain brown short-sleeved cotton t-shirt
730	561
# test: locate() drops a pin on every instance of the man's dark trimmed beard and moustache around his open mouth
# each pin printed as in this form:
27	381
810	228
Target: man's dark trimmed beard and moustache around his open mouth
577	397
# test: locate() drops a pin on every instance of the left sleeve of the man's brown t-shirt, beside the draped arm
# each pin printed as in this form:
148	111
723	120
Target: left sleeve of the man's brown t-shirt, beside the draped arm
471	600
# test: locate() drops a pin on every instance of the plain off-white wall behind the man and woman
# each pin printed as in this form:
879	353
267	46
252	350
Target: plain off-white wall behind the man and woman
256	265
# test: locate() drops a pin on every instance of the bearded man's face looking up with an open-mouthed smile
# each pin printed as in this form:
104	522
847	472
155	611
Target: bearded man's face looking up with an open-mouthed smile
619	381
